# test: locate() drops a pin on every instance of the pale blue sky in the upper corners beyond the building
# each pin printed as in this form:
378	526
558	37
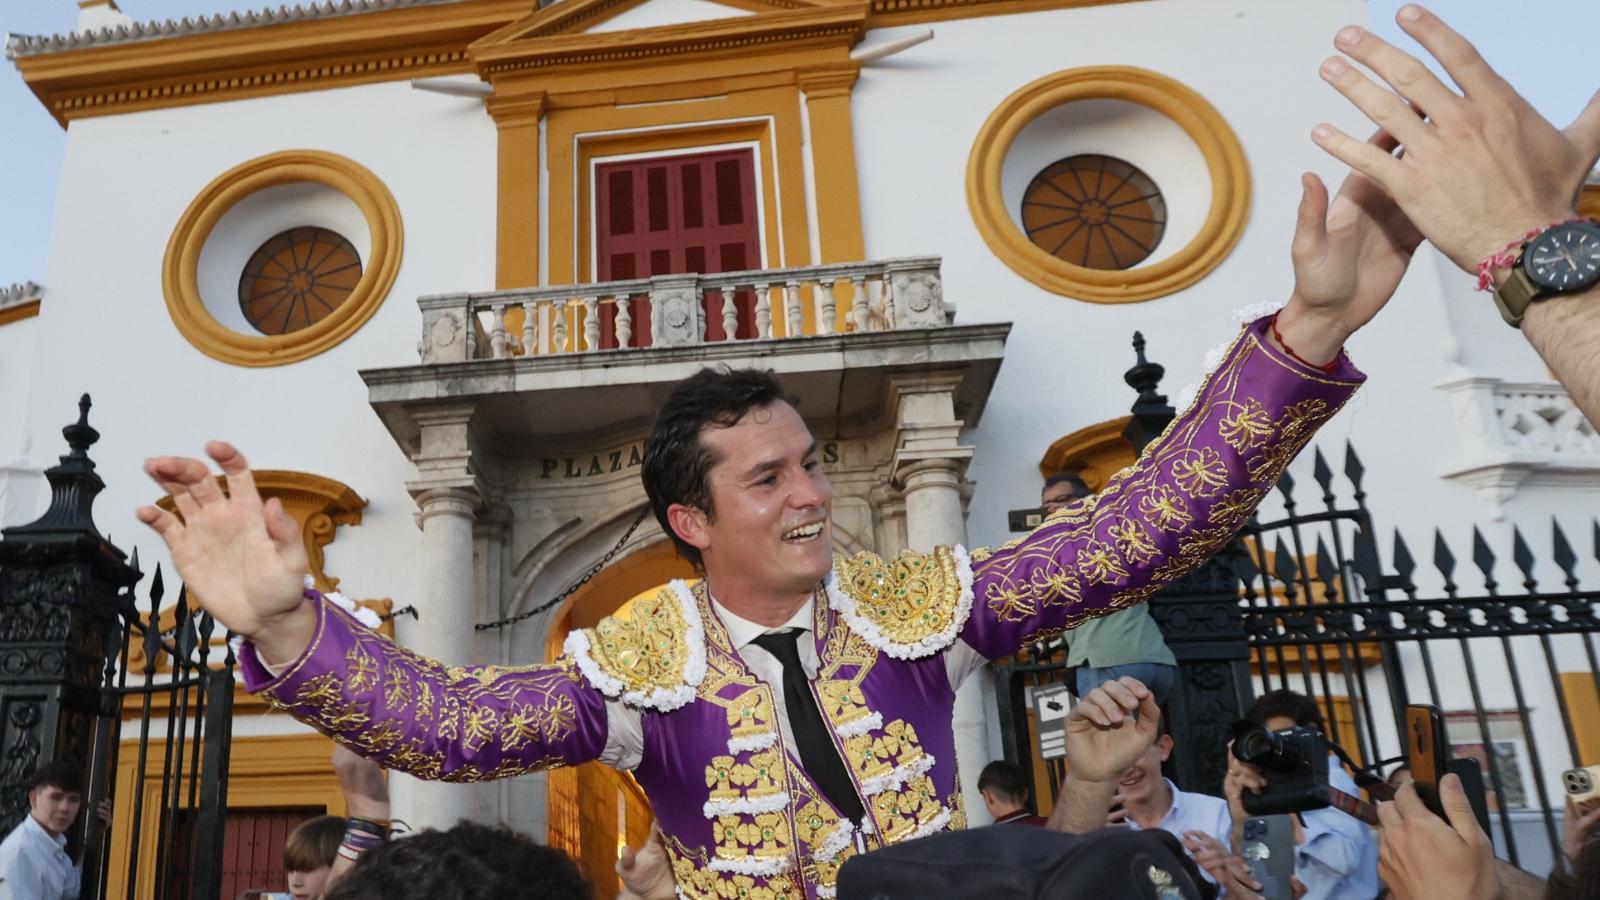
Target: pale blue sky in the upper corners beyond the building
1545	47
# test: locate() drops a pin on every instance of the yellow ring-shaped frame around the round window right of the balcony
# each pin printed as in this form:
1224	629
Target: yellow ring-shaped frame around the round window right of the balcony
1225	159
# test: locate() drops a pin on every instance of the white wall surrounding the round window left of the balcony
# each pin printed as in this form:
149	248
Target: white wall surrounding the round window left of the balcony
127	180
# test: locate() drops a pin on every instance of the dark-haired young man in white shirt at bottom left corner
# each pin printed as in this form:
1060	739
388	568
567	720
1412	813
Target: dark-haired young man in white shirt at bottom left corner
34	862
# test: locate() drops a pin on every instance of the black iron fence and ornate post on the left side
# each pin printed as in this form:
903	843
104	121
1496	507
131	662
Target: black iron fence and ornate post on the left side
124	689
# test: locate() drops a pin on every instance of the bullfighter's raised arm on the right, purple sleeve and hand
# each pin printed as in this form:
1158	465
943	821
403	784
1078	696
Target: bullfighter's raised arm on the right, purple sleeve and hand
1201	481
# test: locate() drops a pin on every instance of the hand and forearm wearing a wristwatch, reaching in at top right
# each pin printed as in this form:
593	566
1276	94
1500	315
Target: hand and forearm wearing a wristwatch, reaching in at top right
1481	172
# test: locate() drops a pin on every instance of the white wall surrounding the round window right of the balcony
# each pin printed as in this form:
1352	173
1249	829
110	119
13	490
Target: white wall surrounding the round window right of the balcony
916	118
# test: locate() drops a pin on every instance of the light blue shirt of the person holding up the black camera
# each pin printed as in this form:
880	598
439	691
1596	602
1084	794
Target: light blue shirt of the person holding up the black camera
1340	856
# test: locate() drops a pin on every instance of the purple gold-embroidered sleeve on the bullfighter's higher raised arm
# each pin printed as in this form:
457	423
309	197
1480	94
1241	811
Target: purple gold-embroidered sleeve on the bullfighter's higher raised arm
1186	496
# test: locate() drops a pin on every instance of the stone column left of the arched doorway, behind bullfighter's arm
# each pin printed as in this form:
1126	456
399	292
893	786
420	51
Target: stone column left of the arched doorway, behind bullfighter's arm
449	499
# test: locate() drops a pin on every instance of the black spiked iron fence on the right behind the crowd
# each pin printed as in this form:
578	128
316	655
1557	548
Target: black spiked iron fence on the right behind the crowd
1303	600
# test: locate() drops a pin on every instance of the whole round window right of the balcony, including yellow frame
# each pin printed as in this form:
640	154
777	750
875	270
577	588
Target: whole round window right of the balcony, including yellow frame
1050	135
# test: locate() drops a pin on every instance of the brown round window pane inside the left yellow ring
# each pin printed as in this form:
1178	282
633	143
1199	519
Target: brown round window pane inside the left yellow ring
297	279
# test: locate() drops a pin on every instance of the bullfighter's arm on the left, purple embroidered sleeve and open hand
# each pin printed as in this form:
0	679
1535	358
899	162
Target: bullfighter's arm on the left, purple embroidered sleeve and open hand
246	561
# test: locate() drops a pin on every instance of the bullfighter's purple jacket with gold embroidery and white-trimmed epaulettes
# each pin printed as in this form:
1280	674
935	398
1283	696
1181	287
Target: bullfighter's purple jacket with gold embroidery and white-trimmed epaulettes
738	813
